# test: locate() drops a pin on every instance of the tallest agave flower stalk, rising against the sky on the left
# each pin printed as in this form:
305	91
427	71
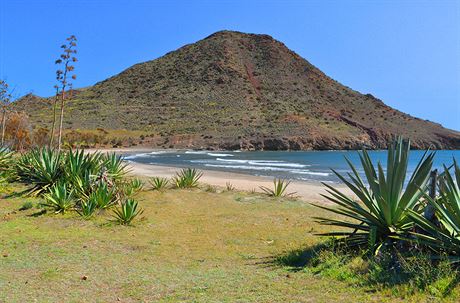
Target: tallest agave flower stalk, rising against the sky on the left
63	75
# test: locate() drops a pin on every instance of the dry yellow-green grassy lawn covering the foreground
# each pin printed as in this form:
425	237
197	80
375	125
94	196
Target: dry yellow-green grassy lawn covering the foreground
188	246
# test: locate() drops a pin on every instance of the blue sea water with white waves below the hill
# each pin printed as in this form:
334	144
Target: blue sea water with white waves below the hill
293	165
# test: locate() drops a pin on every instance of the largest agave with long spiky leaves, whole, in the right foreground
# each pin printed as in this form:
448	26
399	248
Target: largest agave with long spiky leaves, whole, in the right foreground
381	211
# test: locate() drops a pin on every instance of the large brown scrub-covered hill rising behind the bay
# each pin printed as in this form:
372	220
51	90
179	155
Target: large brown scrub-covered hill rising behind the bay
234	90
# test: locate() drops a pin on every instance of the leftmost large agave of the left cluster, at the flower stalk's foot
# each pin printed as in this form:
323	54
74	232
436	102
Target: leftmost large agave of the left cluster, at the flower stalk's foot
40	167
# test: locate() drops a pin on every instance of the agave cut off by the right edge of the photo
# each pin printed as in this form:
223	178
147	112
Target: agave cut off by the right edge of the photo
444	237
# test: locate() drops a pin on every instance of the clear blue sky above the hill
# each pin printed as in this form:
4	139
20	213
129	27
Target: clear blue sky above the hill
405	52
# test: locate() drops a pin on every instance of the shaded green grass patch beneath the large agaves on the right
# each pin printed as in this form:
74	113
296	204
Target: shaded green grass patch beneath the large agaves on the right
403	274
